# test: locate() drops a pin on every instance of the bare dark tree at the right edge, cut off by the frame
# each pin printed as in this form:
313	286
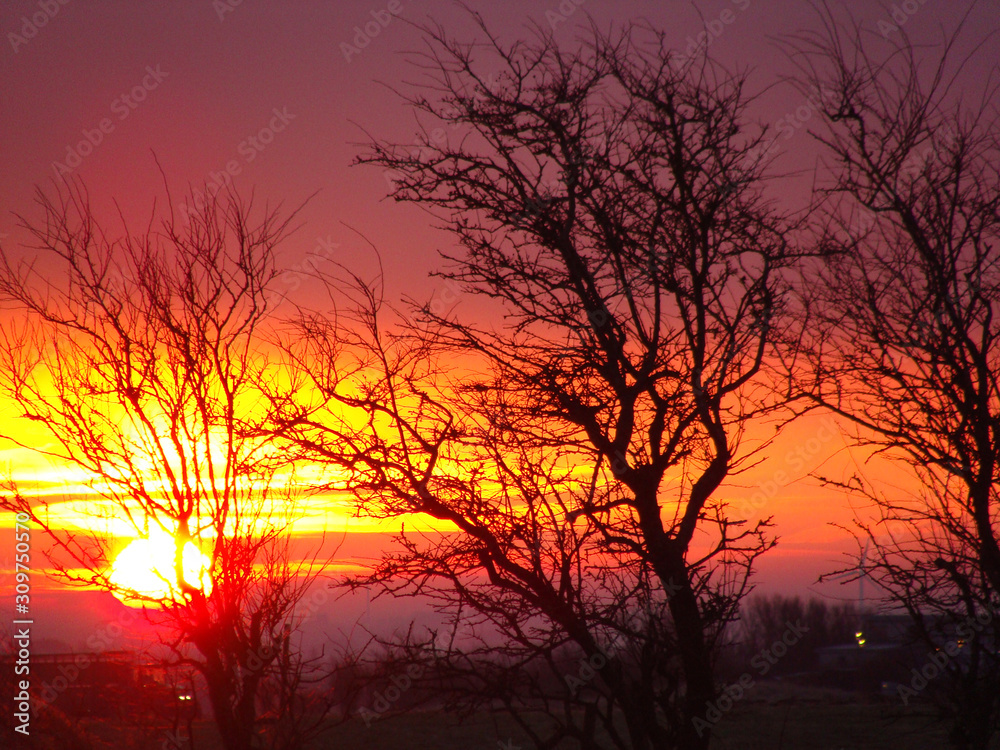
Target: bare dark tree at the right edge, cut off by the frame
906	338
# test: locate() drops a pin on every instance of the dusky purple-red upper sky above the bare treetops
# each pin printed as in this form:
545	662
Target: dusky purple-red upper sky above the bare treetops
224	67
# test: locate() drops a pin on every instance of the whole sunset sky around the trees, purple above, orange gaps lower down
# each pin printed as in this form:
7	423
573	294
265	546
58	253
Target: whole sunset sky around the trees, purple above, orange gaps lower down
281	96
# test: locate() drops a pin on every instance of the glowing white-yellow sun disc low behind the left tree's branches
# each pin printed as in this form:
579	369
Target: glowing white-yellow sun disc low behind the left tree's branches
146	566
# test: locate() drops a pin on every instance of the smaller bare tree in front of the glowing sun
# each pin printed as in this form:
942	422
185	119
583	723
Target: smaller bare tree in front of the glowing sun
138	357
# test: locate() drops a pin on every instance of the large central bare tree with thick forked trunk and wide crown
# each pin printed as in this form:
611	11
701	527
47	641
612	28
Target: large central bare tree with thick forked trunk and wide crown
608	206
